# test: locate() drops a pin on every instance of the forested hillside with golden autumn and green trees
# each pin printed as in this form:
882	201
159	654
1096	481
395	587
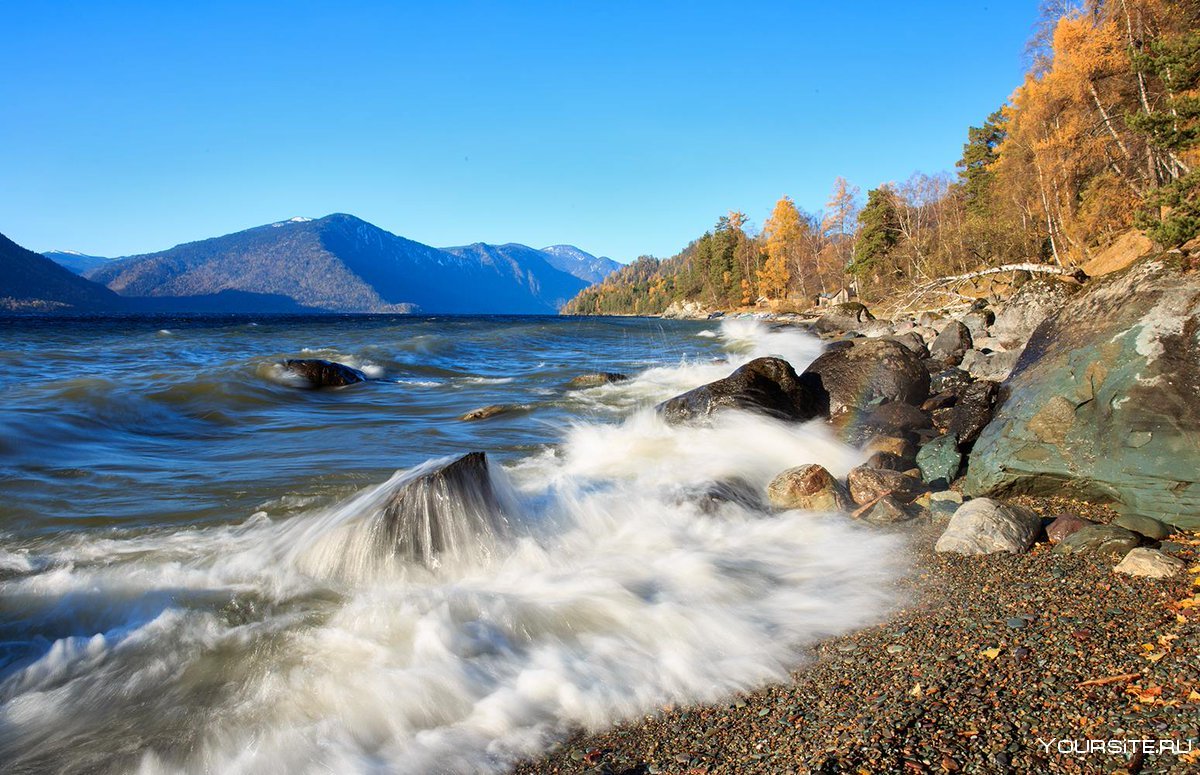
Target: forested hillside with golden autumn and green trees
1102	136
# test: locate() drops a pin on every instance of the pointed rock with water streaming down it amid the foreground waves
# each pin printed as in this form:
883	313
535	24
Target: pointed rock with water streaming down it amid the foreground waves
447	513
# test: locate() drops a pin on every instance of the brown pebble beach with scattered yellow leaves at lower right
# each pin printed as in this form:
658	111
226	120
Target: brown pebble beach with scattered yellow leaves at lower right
1084	654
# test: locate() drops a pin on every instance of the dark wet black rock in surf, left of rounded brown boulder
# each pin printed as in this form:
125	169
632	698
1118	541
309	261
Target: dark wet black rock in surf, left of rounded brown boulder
767	386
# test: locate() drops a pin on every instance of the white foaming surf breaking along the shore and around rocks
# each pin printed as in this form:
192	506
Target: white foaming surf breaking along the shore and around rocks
279	647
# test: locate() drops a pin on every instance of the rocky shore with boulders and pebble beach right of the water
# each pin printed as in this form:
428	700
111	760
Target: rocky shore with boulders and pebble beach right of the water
1040	450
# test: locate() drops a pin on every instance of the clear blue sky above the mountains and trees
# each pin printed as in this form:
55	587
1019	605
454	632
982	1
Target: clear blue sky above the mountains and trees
622	128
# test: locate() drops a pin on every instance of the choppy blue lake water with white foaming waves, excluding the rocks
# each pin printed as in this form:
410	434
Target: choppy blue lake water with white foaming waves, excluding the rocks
179	590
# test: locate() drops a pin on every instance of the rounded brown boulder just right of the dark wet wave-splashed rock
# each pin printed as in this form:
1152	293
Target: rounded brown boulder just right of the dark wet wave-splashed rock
867	373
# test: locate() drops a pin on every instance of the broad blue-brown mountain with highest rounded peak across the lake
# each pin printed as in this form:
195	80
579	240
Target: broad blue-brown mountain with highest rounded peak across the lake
345	265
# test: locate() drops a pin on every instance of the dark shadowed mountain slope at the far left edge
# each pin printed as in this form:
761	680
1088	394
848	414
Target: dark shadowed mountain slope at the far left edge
31	283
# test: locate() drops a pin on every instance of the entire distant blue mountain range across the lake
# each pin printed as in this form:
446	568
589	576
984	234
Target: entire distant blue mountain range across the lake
334	265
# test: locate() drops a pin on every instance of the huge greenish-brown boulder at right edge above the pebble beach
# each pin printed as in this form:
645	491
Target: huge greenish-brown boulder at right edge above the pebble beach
1103	401
